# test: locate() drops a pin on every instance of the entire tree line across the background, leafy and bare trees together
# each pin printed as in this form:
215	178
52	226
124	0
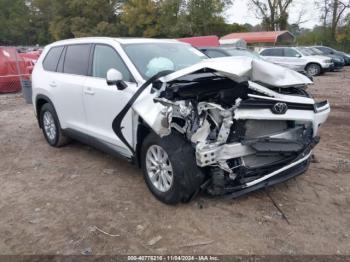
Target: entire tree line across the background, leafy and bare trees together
30	22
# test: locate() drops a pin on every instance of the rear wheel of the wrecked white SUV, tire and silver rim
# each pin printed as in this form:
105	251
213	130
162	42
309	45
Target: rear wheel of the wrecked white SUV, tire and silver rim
51	126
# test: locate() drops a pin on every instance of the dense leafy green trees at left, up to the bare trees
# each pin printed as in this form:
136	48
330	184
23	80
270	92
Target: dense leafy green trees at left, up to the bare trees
43	21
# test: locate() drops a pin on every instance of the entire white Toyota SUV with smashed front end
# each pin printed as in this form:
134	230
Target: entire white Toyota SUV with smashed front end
224	126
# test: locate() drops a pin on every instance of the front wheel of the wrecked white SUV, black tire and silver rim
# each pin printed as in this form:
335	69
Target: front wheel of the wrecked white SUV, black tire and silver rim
185	176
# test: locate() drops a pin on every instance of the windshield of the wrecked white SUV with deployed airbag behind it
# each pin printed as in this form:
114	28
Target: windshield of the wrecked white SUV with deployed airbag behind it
152	58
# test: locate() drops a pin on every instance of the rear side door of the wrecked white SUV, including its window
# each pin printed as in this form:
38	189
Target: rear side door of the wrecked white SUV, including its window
68	86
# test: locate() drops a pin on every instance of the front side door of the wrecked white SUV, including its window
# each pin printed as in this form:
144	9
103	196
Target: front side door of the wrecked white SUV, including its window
103	102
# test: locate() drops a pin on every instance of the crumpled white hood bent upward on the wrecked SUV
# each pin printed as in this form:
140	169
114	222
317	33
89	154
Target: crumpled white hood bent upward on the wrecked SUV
242	69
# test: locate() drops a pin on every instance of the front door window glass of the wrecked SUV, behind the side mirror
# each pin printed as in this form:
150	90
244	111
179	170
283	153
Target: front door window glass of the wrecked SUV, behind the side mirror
105	58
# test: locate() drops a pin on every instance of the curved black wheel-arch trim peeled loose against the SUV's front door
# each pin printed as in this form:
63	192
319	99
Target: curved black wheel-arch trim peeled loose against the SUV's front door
116	124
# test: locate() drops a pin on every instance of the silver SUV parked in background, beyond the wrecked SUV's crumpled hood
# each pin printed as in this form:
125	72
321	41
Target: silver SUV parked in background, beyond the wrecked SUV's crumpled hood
313	65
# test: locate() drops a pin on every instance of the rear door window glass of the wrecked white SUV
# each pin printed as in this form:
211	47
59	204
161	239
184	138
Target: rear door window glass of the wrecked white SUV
76	61
